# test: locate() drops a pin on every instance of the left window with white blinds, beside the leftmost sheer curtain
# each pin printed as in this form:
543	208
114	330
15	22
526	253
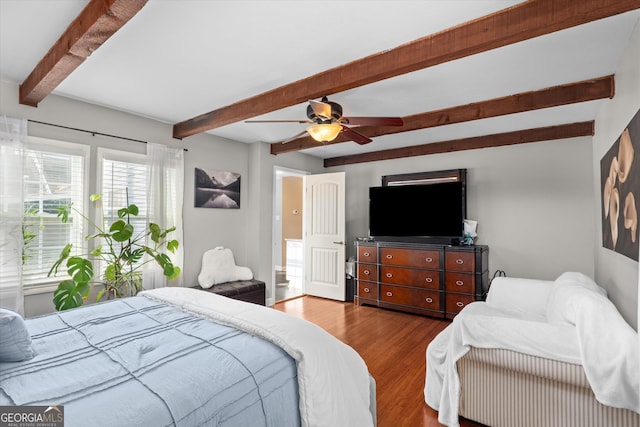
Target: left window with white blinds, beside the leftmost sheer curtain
54	175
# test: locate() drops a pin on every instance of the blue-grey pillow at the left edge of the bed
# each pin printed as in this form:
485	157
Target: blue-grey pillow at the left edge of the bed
15	340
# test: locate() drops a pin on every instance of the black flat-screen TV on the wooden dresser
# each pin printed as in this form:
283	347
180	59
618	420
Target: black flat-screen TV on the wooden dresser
431	210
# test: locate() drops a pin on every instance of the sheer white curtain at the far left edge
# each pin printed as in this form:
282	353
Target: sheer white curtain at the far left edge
13	135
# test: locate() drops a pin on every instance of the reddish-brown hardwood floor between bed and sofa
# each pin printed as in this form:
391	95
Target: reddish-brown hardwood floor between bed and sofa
392	344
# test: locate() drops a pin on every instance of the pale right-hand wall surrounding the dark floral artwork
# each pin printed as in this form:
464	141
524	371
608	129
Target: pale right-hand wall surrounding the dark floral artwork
615	272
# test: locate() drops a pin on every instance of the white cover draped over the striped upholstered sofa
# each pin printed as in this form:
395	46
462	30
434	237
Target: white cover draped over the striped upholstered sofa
591	332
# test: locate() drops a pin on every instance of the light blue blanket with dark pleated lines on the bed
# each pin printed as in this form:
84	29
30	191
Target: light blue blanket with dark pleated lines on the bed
142	363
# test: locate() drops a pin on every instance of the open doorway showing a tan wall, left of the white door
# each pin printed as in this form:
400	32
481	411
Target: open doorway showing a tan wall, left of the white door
287	240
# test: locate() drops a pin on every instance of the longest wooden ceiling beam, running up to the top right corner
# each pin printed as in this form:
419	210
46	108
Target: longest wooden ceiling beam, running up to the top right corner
515	24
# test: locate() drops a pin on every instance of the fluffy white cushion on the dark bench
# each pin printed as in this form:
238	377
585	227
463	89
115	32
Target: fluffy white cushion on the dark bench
219	266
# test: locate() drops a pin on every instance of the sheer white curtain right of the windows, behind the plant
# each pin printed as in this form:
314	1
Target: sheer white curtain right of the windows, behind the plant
165	182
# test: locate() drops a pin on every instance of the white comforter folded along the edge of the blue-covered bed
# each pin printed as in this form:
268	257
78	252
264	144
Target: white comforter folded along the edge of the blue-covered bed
333	379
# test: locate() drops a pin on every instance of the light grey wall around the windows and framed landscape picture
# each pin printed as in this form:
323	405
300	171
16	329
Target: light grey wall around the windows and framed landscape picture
203	228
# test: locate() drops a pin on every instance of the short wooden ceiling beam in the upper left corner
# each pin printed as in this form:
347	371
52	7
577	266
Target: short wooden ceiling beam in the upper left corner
98	21
